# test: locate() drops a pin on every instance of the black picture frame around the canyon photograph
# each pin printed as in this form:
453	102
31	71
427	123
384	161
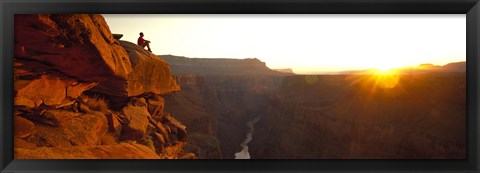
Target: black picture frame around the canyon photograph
10	7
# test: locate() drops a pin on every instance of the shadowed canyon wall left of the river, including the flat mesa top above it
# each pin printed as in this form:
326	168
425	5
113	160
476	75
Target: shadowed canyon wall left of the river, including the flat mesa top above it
222	94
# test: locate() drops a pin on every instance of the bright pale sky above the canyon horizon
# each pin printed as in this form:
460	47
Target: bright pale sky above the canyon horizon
306	43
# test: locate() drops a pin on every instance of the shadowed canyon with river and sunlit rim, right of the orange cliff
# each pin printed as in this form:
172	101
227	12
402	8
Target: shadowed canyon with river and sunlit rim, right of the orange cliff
345	116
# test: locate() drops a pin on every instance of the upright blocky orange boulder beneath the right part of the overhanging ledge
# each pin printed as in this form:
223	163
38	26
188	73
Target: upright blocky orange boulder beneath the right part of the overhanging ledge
138	122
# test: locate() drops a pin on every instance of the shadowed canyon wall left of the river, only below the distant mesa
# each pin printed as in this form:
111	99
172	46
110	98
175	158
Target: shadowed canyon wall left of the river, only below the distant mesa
218	109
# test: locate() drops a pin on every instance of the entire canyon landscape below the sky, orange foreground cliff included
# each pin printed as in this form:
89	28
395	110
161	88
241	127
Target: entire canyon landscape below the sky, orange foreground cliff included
83	92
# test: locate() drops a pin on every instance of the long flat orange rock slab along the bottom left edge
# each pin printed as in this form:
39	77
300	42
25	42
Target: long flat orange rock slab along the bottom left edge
119	151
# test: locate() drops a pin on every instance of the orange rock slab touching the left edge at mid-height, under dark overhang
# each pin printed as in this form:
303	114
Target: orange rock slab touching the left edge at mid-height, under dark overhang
48	90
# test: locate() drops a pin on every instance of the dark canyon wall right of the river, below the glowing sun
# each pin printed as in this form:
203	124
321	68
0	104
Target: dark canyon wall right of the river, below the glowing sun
352	117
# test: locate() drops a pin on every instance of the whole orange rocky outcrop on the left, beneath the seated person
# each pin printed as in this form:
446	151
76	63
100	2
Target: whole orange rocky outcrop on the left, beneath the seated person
80	93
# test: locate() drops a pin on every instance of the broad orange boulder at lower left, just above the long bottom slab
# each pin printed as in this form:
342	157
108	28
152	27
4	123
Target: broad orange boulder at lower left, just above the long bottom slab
75	129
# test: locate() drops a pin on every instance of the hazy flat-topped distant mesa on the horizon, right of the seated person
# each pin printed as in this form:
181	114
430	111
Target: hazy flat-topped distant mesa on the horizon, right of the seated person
218	66
